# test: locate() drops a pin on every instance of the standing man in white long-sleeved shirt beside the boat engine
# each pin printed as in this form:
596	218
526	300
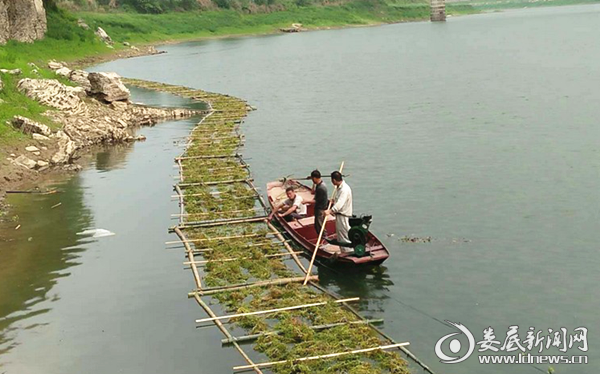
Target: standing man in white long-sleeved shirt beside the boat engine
342	209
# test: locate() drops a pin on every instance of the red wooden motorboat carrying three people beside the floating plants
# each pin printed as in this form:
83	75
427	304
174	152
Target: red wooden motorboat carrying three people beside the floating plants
304	233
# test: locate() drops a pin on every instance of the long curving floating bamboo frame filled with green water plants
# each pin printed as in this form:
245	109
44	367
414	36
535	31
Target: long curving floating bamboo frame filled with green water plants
250	269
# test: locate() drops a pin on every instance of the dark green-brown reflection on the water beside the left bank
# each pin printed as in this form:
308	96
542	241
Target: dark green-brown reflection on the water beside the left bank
36	255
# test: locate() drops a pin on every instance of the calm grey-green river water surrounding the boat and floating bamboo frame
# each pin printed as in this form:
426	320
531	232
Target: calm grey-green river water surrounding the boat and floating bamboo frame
480	133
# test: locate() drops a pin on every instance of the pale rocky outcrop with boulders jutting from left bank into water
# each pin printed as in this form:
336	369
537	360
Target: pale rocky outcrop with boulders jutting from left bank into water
98	111
